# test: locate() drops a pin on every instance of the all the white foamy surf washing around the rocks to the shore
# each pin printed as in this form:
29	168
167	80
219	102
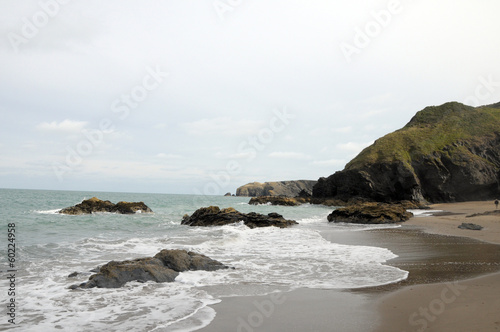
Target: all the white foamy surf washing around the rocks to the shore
265	260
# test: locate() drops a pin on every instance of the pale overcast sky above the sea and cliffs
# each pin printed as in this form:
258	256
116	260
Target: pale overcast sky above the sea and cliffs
203	96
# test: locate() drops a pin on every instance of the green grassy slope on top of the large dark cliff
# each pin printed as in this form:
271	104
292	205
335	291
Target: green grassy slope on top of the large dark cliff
431	130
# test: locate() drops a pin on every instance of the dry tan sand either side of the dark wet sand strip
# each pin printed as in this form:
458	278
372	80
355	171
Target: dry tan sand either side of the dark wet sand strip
465	305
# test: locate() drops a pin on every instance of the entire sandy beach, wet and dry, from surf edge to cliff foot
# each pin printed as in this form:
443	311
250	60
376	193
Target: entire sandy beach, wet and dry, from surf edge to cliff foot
453	284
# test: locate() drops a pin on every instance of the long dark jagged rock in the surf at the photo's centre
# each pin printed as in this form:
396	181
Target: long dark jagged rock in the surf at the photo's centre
214	216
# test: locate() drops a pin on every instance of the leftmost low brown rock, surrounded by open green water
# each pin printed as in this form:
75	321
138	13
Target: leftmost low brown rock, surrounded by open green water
94	205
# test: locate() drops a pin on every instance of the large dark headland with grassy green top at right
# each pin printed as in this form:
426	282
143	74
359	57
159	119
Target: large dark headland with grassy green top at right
446	153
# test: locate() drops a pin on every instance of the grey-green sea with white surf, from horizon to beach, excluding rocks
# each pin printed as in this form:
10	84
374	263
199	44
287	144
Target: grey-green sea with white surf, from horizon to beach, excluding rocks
50	246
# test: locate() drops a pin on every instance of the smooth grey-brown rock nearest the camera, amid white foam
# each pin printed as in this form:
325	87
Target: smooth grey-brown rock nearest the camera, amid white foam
163	267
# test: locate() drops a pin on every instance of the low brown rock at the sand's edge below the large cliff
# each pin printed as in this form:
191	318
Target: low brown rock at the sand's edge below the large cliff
370	213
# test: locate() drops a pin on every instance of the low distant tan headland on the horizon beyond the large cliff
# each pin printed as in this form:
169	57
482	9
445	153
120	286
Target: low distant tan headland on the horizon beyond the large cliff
281	188
